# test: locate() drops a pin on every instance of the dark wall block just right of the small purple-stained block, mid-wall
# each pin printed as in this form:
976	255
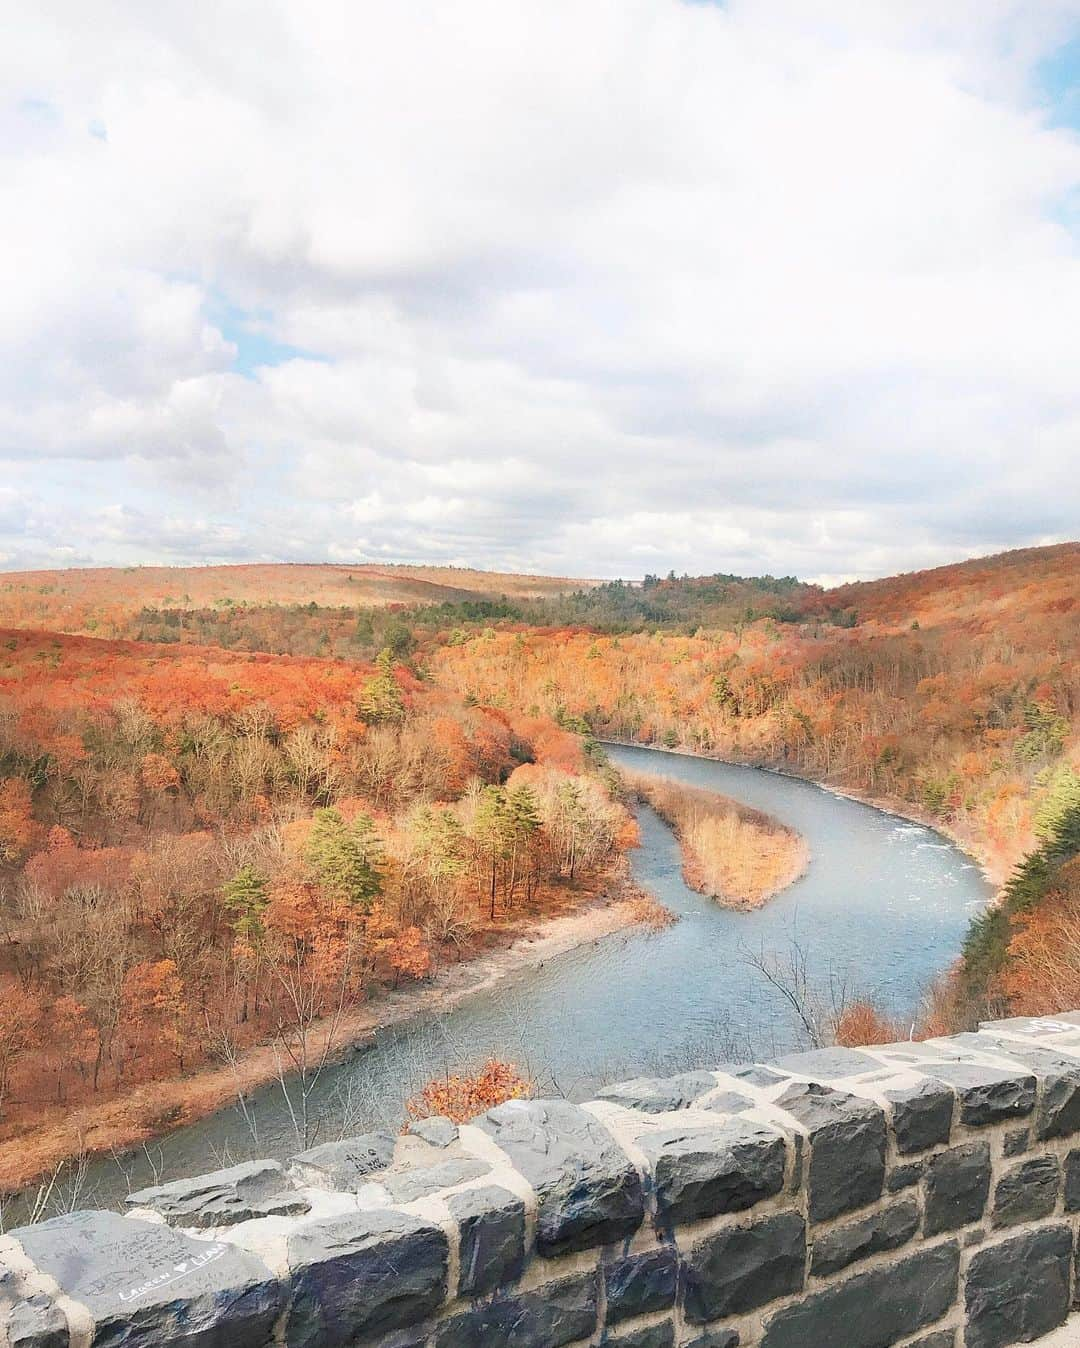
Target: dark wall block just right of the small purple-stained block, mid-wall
744	1268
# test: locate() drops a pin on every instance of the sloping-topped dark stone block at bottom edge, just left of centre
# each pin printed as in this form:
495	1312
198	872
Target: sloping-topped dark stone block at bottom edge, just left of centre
549	1318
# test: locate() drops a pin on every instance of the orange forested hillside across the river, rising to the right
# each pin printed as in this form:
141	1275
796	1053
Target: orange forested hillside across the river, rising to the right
955	694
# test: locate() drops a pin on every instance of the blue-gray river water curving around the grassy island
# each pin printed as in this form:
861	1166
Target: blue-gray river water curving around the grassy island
882	908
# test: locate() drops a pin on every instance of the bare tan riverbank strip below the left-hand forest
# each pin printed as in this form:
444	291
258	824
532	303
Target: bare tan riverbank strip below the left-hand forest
115	1126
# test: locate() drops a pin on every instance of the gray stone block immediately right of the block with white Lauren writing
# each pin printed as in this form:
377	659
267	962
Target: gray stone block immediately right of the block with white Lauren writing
362	1276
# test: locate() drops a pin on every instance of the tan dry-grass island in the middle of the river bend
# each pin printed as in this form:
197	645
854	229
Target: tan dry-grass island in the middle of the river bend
736	855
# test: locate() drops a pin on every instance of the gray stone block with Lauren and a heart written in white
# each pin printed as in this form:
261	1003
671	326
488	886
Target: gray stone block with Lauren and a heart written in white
148	1285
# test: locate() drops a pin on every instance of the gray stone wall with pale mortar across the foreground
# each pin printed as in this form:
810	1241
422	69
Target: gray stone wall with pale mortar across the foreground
915	1195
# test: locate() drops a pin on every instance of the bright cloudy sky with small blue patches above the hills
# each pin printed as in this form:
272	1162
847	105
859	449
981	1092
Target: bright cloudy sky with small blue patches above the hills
591	288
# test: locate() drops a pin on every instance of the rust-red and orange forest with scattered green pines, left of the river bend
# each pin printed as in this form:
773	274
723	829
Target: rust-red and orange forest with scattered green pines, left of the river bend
200	851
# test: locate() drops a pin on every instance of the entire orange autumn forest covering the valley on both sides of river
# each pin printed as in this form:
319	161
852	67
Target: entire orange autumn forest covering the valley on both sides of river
238	803
